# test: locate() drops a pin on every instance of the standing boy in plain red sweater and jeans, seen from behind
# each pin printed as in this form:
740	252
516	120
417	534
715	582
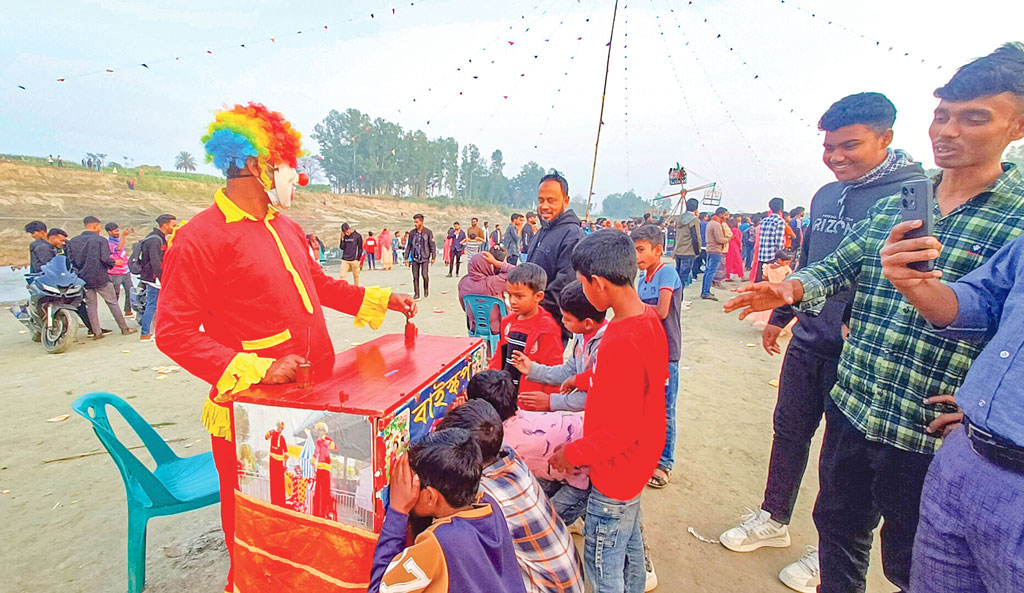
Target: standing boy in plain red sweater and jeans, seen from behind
624	421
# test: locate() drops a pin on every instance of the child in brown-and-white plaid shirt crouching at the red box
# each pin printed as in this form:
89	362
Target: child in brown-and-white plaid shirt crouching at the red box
543	545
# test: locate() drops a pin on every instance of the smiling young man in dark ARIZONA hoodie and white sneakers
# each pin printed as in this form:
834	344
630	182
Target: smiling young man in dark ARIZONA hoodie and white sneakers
859	132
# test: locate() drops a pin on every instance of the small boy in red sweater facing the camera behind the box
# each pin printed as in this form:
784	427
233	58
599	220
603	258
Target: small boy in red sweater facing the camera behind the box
529	329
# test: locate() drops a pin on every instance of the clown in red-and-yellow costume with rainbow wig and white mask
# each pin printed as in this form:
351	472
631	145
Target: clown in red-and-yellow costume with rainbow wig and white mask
241	298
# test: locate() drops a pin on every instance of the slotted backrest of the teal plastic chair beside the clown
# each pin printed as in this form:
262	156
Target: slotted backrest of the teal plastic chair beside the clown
93	407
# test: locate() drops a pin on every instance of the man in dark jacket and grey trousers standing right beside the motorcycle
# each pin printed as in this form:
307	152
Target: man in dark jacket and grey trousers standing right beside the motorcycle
90	256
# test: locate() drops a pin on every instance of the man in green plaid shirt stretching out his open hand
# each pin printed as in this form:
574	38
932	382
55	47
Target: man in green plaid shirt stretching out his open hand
883	427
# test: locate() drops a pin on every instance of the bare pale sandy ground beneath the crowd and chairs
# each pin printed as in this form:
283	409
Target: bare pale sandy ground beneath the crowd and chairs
65	523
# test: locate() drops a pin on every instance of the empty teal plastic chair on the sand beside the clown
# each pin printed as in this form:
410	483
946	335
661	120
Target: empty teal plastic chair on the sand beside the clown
179	484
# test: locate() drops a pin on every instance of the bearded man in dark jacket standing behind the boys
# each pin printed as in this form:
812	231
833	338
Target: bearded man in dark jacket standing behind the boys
552	247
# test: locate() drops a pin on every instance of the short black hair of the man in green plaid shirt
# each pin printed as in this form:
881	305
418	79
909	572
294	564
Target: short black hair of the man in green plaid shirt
1002	71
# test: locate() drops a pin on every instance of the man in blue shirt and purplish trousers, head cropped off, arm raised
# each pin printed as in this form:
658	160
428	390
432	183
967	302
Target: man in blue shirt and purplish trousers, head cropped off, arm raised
971	535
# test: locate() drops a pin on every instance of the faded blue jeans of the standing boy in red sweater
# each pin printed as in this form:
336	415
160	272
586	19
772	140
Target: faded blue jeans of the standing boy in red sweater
614	545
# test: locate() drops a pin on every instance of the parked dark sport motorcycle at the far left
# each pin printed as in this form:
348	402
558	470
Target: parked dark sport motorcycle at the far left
55	298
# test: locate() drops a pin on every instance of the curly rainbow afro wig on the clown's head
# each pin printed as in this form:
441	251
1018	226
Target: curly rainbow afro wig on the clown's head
251	131
